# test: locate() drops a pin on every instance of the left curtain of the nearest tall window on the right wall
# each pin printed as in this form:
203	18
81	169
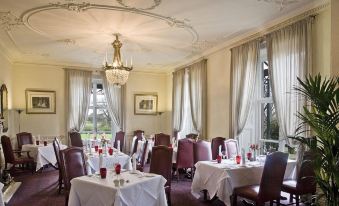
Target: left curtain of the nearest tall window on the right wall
244	66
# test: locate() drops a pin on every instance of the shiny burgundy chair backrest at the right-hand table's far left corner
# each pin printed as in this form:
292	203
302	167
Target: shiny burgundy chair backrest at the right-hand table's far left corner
202	151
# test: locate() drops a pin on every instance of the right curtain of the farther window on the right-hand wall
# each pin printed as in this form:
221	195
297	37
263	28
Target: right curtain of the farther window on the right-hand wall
197	96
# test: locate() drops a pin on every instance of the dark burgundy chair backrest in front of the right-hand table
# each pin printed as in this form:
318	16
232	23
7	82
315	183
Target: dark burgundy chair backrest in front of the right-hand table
272	176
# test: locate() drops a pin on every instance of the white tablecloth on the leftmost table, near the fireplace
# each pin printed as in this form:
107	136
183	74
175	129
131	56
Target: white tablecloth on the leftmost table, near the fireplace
42	155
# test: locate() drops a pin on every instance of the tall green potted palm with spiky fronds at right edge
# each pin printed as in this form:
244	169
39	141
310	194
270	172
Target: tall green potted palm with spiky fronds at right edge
321	115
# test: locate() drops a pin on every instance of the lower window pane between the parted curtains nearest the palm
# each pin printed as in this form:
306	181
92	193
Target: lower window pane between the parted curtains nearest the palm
270	127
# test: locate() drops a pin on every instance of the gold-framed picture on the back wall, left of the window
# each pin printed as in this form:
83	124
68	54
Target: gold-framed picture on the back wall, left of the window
40	102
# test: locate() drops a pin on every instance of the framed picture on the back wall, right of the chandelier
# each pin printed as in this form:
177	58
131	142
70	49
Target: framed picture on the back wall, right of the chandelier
146	104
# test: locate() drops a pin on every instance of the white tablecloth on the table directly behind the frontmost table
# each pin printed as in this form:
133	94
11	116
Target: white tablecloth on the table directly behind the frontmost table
108	161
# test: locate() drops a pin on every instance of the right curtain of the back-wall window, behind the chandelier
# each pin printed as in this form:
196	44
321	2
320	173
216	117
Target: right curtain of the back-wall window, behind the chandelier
115	103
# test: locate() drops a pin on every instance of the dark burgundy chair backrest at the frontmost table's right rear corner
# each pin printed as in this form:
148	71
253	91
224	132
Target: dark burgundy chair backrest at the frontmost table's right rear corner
161	162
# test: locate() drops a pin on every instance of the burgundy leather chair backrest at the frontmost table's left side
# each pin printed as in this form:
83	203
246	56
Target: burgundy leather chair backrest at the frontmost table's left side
73	164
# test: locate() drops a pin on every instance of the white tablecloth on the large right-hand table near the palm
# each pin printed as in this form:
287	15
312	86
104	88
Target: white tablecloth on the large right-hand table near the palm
221	179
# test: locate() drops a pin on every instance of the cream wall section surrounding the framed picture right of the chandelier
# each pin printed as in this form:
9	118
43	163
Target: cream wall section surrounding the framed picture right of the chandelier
144	82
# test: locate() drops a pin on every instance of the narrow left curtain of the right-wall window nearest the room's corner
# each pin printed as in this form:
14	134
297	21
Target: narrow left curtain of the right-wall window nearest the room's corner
177	101
